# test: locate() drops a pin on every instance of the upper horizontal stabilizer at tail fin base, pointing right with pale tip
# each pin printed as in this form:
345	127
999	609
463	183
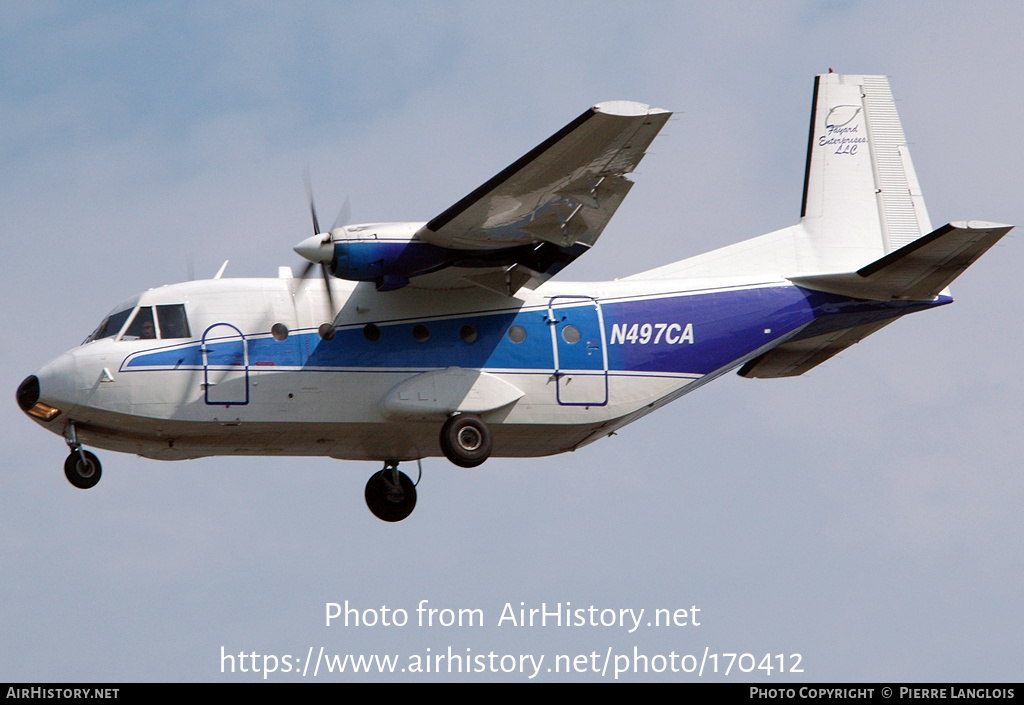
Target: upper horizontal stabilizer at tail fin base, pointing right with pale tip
919	271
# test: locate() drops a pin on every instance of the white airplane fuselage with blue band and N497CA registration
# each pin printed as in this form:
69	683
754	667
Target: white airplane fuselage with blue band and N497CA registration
253	370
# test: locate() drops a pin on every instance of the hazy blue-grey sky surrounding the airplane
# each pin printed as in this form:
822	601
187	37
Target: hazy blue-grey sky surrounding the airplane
865	516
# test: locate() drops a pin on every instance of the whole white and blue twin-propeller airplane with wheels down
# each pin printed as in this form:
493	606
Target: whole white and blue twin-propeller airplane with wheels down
451	338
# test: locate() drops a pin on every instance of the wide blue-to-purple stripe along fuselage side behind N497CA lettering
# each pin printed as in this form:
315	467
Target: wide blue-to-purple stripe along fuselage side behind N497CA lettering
675	335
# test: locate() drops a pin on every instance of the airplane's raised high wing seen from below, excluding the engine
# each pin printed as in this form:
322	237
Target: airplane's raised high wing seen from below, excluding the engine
547	209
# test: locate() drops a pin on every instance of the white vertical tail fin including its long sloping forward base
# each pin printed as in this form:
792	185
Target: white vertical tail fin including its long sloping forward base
862	198
